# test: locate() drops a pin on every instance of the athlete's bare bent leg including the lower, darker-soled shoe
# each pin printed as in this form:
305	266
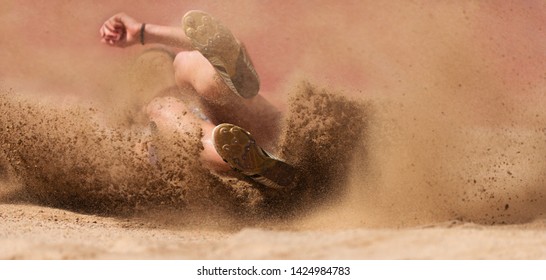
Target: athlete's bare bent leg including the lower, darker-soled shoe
237	147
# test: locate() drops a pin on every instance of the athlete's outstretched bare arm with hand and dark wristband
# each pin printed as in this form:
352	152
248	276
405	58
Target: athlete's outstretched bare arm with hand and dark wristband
122	31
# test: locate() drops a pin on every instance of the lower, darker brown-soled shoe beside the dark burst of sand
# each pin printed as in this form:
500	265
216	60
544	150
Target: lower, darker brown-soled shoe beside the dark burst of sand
239	150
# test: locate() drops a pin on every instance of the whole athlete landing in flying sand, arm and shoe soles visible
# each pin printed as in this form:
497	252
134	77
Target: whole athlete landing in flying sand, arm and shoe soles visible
217	69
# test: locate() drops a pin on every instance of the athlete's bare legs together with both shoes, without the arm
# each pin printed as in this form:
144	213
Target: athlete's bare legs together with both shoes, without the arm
226	84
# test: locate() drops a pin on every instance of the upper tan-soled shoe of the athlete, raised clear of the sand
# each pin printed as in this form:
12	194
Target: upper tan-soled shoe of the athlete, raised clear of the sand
227	55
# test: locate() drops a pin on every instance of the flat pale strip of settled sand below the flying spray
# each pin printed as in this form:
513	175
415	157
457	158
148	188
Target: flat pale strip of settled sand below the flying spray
32	232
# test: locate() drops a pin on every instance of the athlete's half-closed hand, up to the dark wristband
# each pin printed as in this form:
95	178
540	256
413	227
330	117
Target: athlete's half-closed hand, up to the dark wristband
120	30
